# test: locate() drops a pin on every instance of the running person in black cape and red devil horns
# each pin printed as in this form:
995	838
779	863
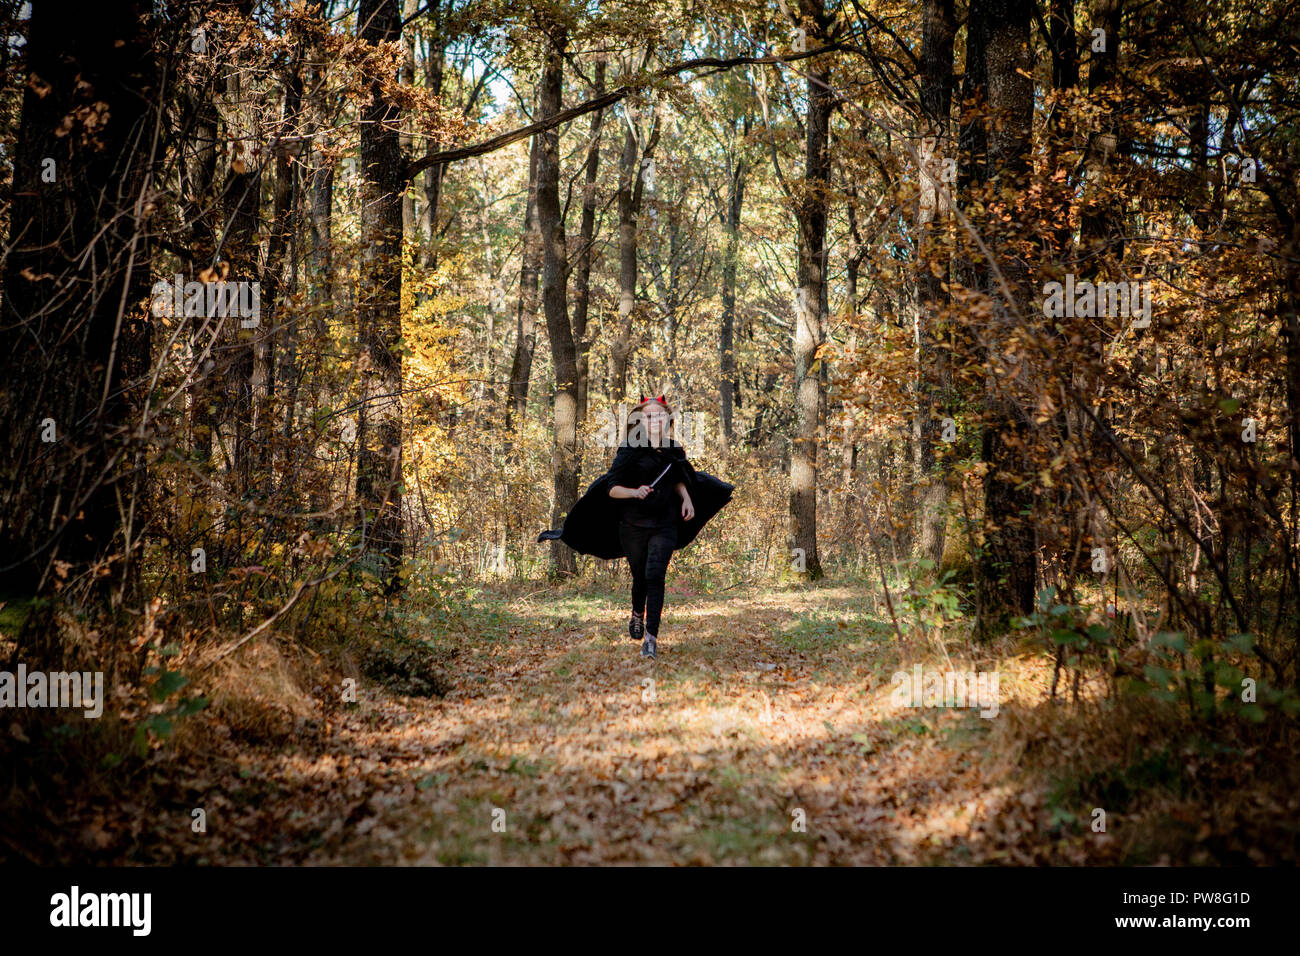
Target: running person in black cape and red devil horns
649	504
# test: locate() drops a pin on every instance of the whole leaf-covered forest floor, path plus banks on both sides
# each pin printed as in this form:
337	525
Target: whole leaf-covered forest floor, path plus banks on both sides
764	734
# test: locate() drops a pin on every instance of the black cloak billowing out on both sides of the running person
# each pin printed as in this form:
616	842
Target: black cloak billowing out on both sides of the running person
592	527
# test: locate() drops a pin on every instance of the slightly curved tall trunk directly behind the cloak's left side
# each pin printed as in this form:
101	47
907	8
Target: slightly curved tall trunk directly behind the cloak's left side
556	300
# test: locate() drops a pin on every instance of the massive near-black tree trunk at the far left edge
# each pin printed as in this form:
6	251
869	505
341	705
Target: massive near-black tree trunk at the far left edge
73	331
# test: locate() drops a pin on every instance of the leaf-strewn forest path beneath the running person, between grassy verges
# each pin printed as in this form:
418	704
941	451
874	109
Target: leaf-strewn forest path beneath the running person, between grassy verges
762	704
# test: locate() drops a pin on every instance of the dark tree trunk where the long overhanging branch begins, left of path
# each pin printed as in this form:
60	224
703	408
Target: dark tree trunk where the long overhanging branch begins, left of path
379	468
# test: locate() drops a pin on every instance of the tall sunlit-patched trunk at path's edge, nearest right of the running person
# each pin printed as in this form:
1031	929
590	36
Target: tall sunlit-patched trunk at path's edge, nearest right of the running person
811	301
